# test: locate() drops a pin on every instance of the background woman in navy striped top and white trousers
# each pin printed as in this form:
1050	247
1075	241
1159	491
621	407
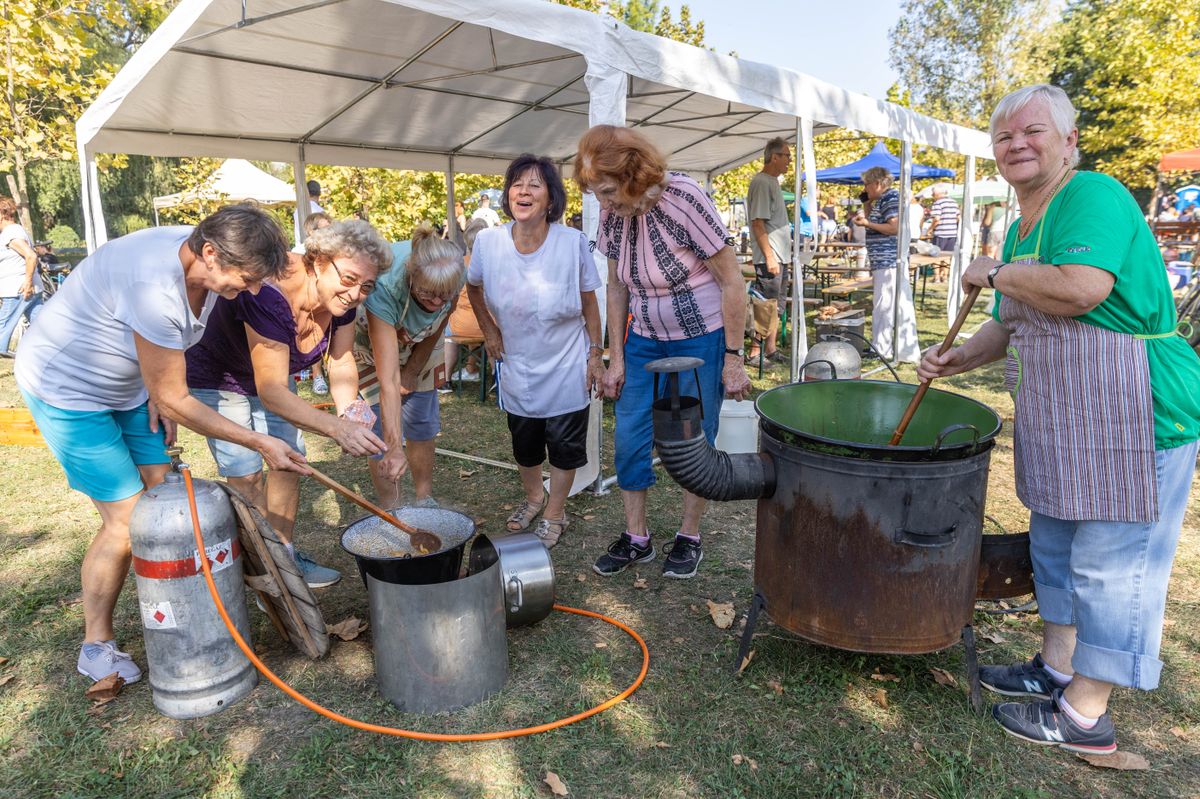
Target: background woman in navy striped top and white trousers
881	219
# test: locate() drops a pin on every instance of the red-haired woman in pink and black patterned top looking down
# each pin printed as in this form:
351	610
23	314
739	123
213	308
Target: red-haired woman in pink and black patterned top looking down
673	274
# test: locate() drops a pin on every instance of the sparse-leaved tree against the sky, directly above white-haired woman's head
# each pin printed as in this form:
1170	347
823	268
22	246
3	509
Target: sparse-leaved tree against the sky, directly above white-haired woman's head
959	58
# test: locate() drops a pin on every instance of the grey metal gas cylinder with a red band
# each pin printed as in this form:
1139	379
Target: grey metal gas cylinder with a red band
196	669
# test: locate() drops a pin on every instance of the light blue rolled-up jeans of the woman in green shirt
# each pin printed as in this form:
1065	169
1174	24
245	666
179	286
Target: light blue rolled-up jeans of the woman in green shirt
1109	579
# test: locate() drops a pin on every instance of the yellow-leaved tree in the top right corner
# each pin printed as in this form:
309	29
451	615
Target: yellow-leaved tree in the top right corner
1131	69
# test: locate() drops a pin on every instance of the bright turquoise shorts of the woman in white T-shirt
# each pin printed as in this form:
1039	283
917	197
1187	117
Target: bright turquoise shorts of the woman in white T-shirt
100	450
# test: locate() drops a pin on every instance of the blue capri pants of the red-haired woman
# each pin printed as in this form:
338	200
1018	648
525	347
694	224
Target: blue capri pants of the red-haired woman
634	438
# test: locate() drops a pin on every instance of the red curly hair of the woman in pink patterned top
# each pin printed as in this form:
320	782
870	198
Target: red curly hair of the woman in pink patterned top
620	154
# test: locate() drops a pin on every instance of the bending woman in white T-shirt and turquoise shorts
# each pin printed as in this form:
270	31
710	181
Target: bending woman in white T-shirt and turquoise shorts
103	373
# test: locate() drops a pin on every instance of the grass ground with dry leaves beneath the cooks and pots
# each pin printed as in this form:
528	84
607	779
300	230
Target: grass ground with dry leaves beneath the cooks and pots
805	713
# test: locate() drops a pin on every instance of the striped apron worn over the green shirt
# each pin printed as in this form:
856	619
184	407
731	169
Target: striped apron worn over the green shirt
1084	432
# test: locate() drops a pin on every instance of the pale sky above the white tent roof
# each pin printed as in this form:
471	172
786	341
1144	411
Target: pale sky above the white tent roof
847	45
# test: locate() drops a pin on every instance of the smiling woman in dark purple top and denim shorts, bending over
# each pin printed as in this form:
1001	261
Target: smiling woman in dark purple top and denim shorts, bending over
244	364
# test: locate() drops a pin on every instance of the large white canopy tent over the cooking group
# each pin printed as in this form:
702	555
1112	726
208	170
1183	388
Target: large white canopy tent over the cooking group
460	86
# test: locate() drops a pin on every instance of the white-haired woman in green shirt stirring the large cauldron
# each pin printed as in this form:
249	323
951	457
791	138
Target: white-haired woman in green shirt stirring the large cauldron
1107	422
